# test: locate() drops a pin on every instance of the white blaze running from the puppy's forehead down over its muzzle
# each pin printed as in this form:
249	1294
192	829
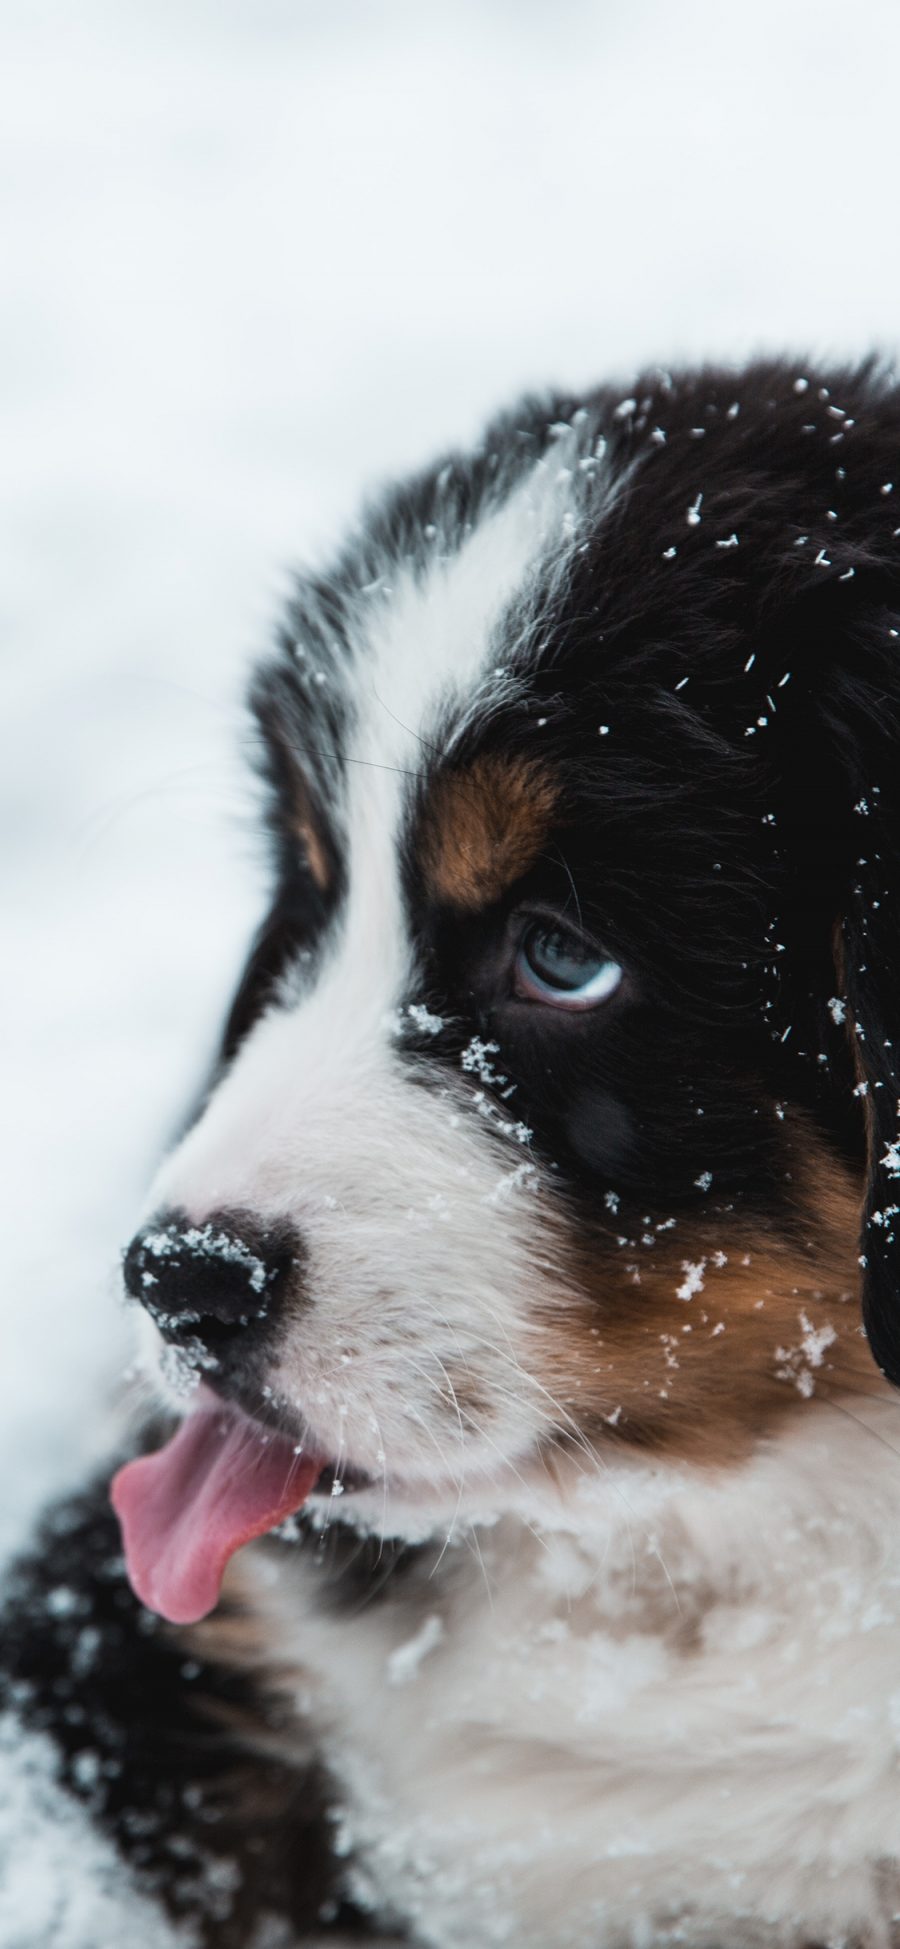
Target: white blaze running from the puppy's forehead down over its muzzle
428	1239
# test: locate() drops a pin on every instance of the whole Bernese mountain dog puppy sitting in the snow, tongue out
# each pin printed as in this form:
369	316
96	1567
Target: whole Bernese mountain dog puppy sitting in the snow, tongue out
525	1291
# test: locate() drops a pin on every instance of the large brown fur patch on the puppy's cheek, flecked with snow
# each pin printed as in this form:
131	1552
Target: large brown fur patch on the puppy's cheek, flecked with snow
700	1340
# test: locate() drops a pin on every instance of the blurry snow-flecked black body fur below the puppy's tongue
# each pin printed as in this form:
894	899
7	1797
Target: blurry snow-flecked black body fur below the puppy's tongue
159	1743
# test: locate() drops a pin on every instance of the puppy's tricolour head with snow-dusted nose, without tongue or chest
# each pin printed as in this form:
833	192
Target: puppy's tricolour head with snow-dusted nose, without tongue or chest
554	1083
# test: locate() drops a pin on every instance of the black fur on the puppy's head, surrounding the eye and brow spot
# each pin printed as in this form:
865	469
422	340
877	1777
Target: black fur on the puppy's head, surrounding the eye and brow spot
716	683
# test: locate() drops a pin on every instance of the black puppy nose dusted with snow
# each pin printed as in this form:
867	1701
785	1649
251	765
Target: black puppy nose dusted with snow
213	1280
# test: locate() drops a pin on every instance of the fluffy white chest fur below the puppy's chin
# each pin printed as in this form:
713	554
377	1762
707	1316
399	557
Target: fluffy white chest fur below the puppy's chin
669	1712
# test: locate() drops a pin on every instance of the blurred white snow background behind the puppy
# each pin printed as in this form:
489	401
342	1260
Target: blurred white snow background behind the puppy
254	258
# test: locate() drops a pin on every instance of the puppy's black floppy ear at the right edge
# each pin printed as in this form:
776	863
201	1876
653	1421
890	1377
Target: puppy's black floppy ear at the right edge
837	732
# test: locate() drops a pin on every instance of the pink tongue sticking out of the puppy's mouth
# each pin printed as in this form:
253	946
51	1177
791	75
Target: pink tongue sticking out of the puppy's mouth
184	1511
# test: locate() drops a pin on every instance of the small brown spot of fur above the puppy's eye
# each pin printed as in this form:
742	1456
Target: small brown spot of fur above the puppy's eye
484	829
